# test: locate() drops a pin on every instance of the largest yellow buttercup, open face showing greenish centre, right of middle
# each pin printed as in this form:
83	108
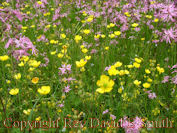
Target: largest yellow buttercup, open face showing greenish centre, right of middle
105	84
